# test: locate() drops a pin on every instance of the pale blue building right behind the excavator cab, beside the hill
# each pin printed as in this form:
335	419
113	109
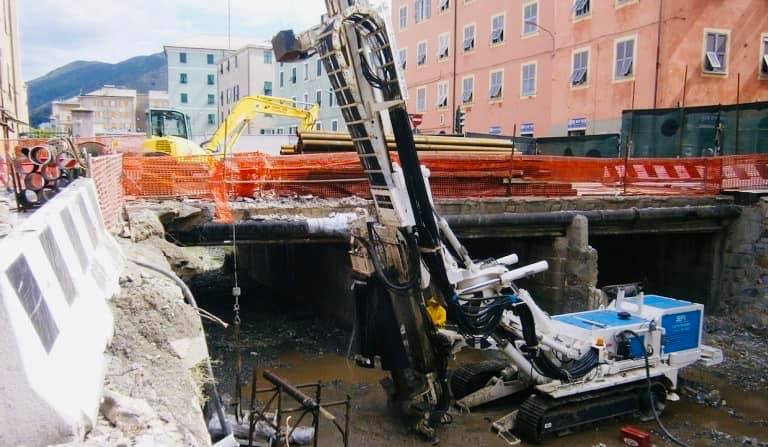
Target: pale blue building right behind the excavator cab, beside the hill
192	84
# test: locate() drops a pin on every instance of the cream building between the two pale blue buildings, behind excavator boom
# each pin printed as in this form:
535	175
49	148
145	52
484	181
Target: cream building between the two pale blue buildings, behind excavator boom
249	71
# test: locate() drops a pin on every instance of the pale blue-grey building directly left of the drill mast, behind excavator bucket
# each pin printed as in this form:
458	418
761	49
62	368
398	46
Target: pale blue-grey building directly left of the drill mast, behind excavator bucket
306	83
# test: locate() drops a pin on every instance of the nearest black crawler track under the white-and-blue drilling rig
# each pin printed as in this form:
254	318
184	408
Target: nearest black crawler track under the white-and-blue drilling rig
530	417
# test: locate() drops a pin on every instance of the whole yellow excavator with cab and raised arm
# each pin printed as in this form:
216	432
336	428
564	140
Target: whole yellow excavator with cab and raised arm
169	130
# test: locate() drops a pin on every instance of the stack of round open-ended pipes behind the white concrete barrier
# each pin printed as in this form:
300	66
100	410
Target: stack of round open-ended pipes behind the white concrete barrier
40	172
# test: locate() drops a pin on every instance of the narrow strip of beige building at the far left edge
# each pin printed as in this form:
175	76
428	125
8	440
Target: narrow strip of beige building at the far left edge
13	97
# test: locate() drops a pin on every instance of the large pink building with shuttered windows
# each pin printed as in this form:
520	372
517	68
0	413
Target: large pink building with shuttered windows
550	68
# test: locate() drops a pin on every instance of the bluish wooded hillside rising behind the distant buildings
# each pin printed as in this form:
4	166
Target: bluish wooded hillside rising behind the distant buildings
141	73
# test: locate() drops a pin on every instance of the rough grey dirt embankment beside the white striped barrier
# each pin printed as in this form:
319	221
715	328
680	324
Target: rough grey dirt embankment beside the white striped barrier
155	362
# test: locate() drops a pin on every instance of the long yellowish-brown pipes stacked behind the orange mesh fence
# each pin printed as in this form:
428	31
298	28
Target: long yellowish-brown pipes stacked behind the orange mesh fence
314	142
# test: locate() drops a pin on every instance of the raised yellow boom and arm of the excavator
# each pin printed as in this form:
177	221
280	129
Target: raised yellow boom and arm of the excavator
250	107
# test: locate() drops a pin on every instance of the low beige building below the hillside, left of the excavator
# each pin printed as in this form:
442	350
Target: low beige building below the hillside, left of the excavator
114	111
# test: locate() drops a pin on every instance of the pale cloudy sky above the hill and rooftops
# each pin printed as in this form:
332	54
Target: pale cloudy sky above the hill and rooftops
54	32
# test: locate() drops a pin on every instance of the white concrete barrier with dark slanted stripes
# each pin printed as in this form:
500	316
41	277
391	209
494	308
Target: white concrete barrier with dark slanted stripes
57	270
